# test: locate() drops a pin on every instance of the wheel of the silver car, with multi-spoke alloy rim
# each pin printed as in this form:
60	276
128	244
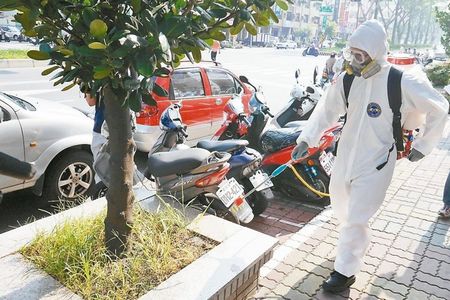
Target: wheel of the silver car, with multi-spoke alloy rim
71	177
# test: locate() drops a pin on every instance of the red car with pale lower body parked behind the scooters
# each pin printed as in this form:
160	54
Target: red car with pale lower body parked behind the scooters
203	90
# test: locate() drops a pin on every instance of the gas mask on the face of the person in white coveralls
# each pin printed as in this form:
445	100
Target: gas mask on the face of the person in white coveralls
357	62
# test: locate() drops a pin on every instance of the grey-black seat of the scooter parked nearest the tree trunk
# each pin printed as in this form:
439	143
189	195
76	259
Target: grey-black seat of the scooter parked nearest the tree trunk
176	162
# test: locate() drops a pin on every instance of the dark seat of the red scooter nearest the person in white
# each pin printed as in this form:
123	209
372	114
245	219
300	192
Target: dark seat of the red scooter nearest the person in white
276	139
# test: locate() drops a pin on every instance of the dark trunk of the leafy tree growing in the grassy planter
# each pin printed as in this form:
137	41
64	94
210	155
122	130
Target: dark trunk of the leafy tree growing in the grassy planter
120	195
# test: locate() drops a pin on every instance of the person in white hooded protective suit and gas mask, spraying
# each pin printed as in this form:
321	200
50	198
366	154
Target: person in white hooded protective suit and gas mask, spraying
357	187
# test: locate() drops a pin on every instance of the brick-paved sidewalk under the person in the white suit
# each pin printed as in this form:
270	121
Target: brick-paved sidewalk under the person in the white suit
408	258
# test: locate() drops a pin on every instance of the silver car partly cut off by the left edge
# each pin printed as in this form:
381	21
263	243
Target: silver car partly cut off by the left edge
55	138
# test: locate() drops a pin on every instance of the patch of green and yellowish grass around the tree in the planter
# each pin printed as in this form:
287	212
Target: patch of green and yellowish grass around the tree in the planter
74	254
